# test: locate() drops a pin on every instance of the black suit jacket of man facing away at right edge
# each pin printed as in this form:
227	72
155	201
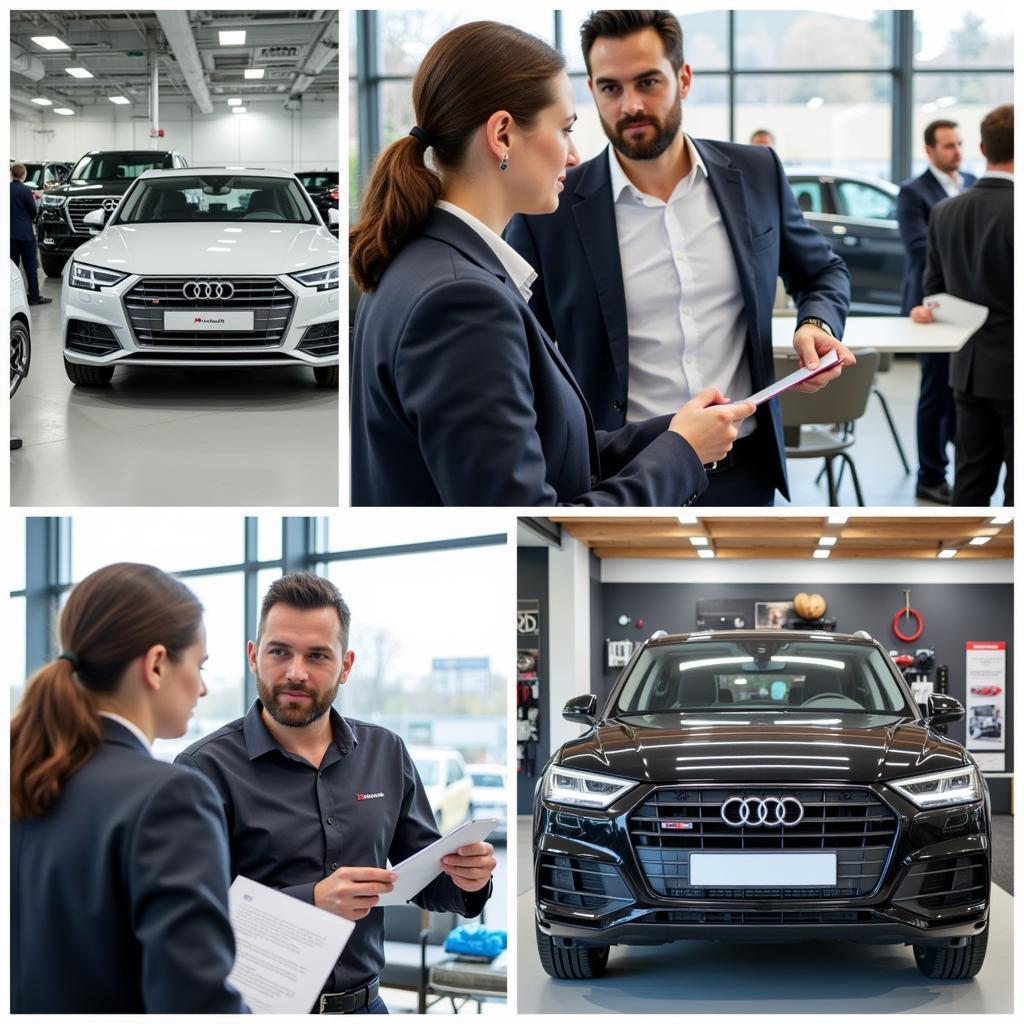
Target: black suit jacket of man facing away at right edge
971	255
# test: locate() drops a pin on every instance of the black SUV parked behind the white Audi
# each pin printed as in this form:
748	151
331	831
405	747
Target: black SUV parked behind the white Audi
99	180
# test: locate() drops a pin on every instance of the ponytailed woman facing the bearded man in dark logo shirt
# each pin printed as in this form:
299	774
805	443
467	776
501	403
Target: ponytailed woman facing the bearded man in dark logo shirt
119	862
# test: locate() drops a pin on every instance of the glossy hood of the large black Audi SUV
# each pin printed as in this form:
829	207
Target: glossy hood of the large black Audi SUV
778	746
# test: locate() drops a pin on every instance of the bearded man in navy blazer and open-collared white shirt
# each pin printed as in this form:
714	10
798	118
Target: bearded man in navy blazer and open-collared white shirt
657	274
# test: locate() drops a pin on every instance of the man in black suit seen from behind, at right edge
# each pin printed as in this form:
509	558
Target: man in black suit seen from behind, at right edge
971	257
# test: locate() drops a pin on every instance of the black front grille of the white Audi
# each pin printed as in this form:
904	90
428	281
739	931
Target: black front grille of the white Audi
271	302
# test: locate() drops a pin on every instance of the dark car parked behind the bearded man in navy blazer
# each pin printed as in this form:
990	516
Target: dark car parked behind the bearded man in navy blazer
857	215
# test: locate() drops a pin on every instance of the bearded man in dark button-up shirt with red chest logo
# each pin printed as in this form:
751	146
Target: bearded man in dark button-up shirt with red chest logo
317	803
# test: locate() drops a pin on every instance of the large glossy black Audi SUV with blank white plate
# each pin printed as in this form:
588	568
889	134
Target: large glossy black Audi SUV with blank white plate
762	787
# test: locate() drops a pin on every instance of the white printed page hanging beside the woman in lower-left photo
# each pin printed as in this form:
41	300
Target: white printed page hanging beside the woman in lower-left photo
285	949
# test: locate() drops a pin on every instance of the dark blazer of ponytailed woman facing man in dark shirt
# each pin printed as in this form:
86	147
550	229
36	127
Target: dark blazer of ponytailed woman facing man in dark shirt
119	895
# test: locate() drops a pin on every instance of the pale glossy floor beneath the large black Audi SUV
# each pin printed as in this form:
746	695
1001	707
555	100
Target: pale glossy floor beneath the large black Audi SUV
726	978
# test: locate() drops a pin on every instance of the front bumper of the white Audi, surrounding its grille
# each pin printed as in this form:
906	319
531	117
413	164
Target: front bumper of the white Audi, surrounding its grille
105	315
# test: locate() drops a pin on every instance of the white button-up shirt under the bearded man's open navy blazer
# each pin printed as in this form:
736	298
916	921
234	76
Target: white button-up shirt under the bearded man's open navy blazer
685	308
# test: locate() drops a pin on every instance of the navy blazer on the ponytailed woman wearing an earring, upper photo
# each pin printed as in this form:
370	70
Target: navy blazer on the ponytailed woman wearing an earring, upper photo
459	398
